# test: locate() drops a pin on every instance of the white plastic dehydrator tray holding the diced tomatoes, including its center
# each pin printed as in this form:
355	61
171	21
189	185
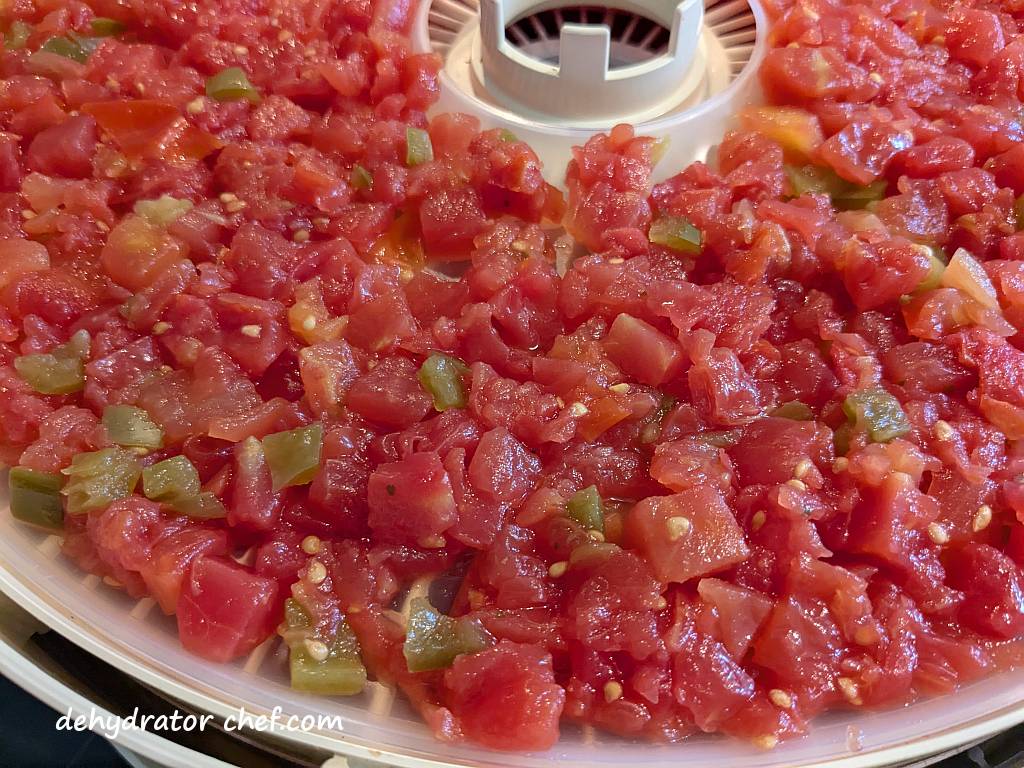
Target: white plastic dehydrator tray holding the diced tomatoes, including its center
651	46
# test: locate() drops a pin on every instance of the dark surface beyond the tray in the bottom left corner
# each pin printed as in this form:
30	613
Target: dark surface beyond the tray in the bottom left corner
29	739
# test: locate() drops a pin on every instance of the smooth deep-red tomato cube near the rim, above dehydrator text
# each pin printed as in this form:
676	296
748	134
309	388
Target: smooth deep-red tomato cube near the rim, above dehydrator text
226	611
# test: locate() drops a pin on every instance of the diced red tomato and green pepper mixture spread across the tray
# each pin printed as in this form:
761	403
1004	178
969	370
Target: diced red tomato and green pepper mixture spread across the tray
756	453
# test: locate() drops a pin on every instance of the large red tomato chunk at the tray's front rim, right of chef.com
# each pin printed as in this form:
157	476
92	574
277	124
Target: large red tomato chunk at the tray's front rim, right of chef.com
505	698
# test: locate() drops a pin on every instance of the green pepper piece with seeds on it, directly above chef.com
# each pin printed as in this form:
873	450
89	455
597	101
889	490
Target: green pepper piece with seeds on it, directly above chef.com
342	673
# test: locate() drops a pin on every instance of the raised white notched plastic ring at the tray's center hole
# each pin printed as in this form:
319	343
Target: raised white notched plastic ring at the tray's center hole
581	90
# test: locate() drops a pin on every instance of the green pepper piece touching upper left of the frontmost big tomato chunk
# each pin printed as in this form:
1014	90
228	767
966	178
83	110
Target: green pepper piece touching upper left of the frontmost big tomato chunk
434	641
